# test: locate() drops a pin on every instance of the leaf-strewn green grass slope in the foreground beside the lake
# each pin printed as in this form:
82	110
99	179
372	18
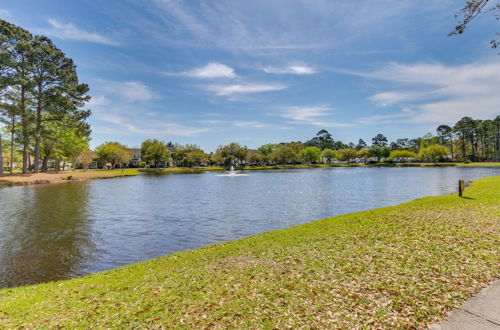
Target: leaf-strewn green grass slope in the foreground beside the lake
399	266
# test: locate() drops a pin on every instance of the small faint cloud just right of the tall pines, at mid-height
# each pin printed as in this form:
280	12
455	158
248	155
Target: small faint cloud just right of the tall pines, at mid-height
129	91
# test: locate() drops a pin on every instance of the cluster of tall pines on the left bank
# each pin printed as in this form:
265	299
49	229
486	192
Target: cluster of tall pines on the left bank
41	102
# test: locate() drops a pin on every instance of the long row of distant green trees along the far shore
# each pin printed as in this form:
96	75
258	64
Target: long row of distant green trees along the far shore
467	140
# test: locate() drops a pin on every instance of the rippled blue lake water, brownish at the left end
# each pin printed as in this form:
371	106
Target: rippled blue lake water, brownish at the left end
52	232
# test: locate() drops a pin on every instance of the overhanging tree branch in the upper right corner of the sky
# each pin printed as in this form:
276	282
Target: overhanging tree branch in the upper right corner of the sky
470	11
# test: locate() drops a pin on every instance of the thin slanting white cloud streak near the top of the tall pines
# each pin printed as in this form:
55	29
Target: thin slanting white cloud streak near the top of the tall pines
71	32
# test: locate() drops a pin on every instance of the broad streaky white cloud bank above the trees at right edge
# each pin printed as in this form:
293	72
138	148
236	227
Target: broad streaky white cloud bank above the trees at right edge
437	93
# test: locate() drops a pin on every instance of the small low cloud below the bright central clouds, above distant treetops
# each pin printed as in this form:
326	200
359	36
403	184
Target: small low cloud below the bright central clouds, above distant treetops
313	115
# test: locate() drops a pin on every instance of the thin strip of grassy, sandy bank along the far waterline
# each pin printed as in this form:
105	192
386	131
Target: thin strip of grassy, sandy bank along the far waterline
53	177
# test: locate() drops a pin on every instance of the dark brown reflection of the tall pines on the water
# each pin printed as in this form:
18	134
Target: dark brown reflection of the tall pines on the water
45	233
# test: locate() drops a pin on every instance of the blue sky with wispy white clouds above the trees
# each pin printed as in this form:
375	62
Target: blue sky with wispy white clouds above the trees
254	72
